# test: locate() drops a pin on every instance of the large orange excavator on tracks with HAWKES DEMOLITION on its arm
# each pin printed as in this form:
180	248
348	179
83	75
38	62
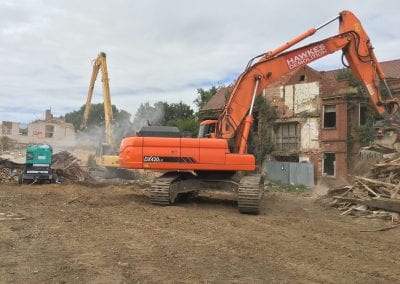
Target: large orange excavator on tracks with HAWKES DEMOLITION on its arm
209	161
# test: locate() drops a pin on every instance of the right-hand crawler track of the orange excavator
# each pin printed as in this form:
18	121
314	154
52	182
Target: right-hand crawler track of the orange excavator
250	193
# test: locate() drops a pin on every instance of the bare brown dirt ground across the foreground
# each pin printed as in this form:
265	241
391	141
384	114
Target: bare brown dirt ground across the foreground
112	234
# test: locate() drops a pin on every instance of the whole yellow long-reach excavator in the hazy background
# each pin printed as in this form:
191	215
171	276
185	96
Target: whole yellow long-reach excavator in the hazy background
106	154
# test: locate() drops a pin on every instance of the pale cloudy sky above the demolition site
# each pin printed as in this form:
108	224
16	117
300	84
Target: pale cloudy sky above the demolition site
157	50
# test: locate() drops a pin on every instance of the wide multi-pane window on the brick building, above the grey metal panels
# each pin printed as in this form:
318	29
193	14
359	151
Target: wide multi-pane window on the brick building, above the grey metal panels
287	136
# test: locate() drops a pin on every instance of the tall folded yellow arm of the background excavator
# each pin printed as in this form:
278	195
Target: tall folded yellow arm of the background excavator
100	64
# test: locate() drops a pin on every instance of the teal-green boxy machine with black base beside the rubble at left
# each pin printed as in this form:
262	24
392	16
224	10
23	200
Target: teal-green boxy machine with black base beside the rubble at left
37	165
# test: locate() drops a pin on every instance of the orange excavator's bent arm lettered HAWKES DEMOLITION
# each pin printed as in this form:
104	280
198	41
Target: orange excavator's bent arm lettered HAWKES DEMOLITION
236	117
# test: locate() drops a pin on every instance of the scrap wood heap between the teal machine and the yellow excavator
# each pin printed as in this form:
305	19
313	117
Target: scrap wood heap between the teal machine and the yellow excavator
67	167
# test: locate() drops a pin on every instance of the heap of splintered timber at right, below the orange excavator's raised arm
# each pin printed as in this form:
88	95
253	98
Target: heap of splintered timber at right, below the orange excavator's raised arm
377	195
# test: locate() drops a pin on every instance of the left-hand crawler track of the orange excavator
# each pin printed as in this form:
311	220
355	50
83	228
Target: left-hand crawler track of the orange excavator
160	190
